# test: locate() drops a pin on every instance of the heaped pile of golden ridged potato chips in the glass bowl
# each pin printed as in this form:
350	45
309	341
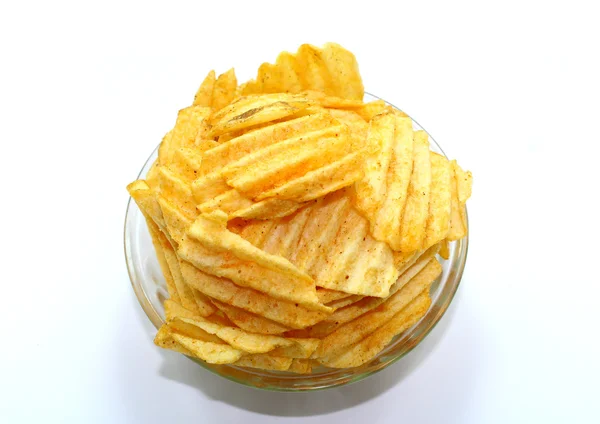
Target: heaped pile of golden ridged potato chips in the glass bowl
295	225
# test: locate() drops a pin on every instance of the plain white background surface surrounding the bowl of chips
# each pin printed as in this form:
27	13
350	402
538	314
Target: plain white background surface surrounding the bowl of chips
87	90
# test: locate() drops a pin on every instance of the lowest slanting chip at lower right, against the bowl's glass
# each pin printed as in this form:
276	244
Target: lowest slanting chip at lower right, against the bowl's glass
370	346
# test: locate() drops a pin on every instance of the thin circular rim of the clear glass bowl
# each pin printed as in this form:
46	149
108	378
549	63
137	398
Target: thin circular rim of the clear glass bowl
157	320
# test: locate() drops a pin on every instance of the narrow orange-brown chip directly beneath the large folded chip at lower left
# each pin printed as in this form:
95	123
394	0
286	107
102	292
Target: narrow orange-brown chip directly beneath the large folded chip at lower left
224	290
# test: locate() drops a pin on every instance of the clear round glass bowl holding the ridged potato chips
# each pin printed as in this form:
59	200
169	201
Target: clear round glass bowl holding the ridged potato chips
150	288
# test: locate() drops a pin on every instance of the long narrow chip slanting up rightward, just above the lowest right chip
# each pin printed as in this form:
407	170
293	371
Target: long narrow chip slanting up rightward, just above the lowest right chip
356	330
